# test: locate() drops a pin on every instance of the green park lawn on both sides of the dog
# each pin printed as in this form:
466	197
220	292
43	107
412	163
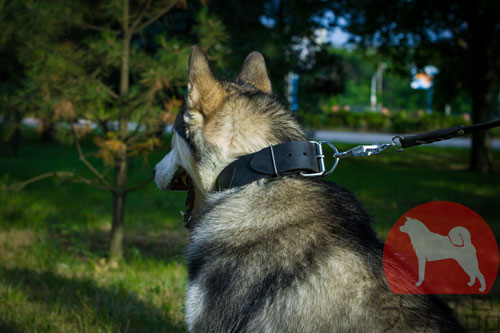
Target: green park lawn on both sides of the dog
54	276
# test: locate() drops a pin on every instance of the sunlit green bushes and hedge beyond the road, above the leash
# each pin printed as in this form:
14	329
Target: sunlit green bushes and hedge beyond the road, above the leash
350	108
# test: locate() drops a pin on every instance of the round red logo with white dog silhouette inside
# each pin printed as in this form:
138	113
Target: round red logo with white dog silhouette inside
440	247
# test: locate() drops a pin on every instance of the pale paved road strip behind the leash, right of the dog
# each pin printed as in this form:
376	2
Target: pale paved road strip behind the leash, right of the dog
369	138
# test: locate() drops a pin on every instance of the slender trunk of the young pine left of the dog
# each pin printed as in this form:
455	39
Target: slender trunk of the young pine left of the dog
119	195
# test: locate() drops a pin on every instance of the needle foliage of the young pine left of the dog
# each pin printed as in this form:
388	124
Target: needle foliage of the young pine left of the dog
72	64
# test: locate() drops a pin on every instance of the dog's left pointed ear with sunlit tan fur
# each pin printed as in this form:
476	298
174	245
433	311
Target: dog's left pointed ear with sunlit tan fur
205	92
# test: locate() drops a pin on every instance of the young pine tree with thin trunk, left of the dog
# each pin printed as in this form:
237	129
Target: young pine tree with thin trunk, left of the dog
97	62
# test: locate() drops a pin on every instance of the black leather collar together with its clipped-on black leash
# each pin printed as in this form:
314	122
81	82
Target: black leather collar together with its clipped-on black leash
307	158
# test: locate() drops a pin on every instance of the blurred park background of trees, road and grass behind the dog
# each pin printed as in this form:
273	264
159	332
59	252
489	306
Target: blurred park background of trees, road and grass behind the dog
88	90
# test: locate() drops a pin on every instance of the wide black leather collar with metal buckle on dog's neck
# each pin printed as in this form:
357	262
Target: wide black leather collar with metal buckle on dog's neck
271	162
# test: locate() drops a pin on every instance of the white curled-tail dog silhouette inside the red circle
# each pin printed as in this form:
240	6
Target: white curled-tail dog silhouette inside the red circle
430	246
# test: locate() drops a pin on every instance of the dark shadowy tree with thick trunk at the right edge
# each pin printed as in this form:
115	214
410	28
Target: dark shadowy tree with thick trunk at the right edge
462	38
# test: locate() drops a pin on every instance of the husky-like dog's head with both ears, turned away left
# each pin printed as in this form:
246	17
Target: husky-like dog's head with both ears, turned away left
220	121
